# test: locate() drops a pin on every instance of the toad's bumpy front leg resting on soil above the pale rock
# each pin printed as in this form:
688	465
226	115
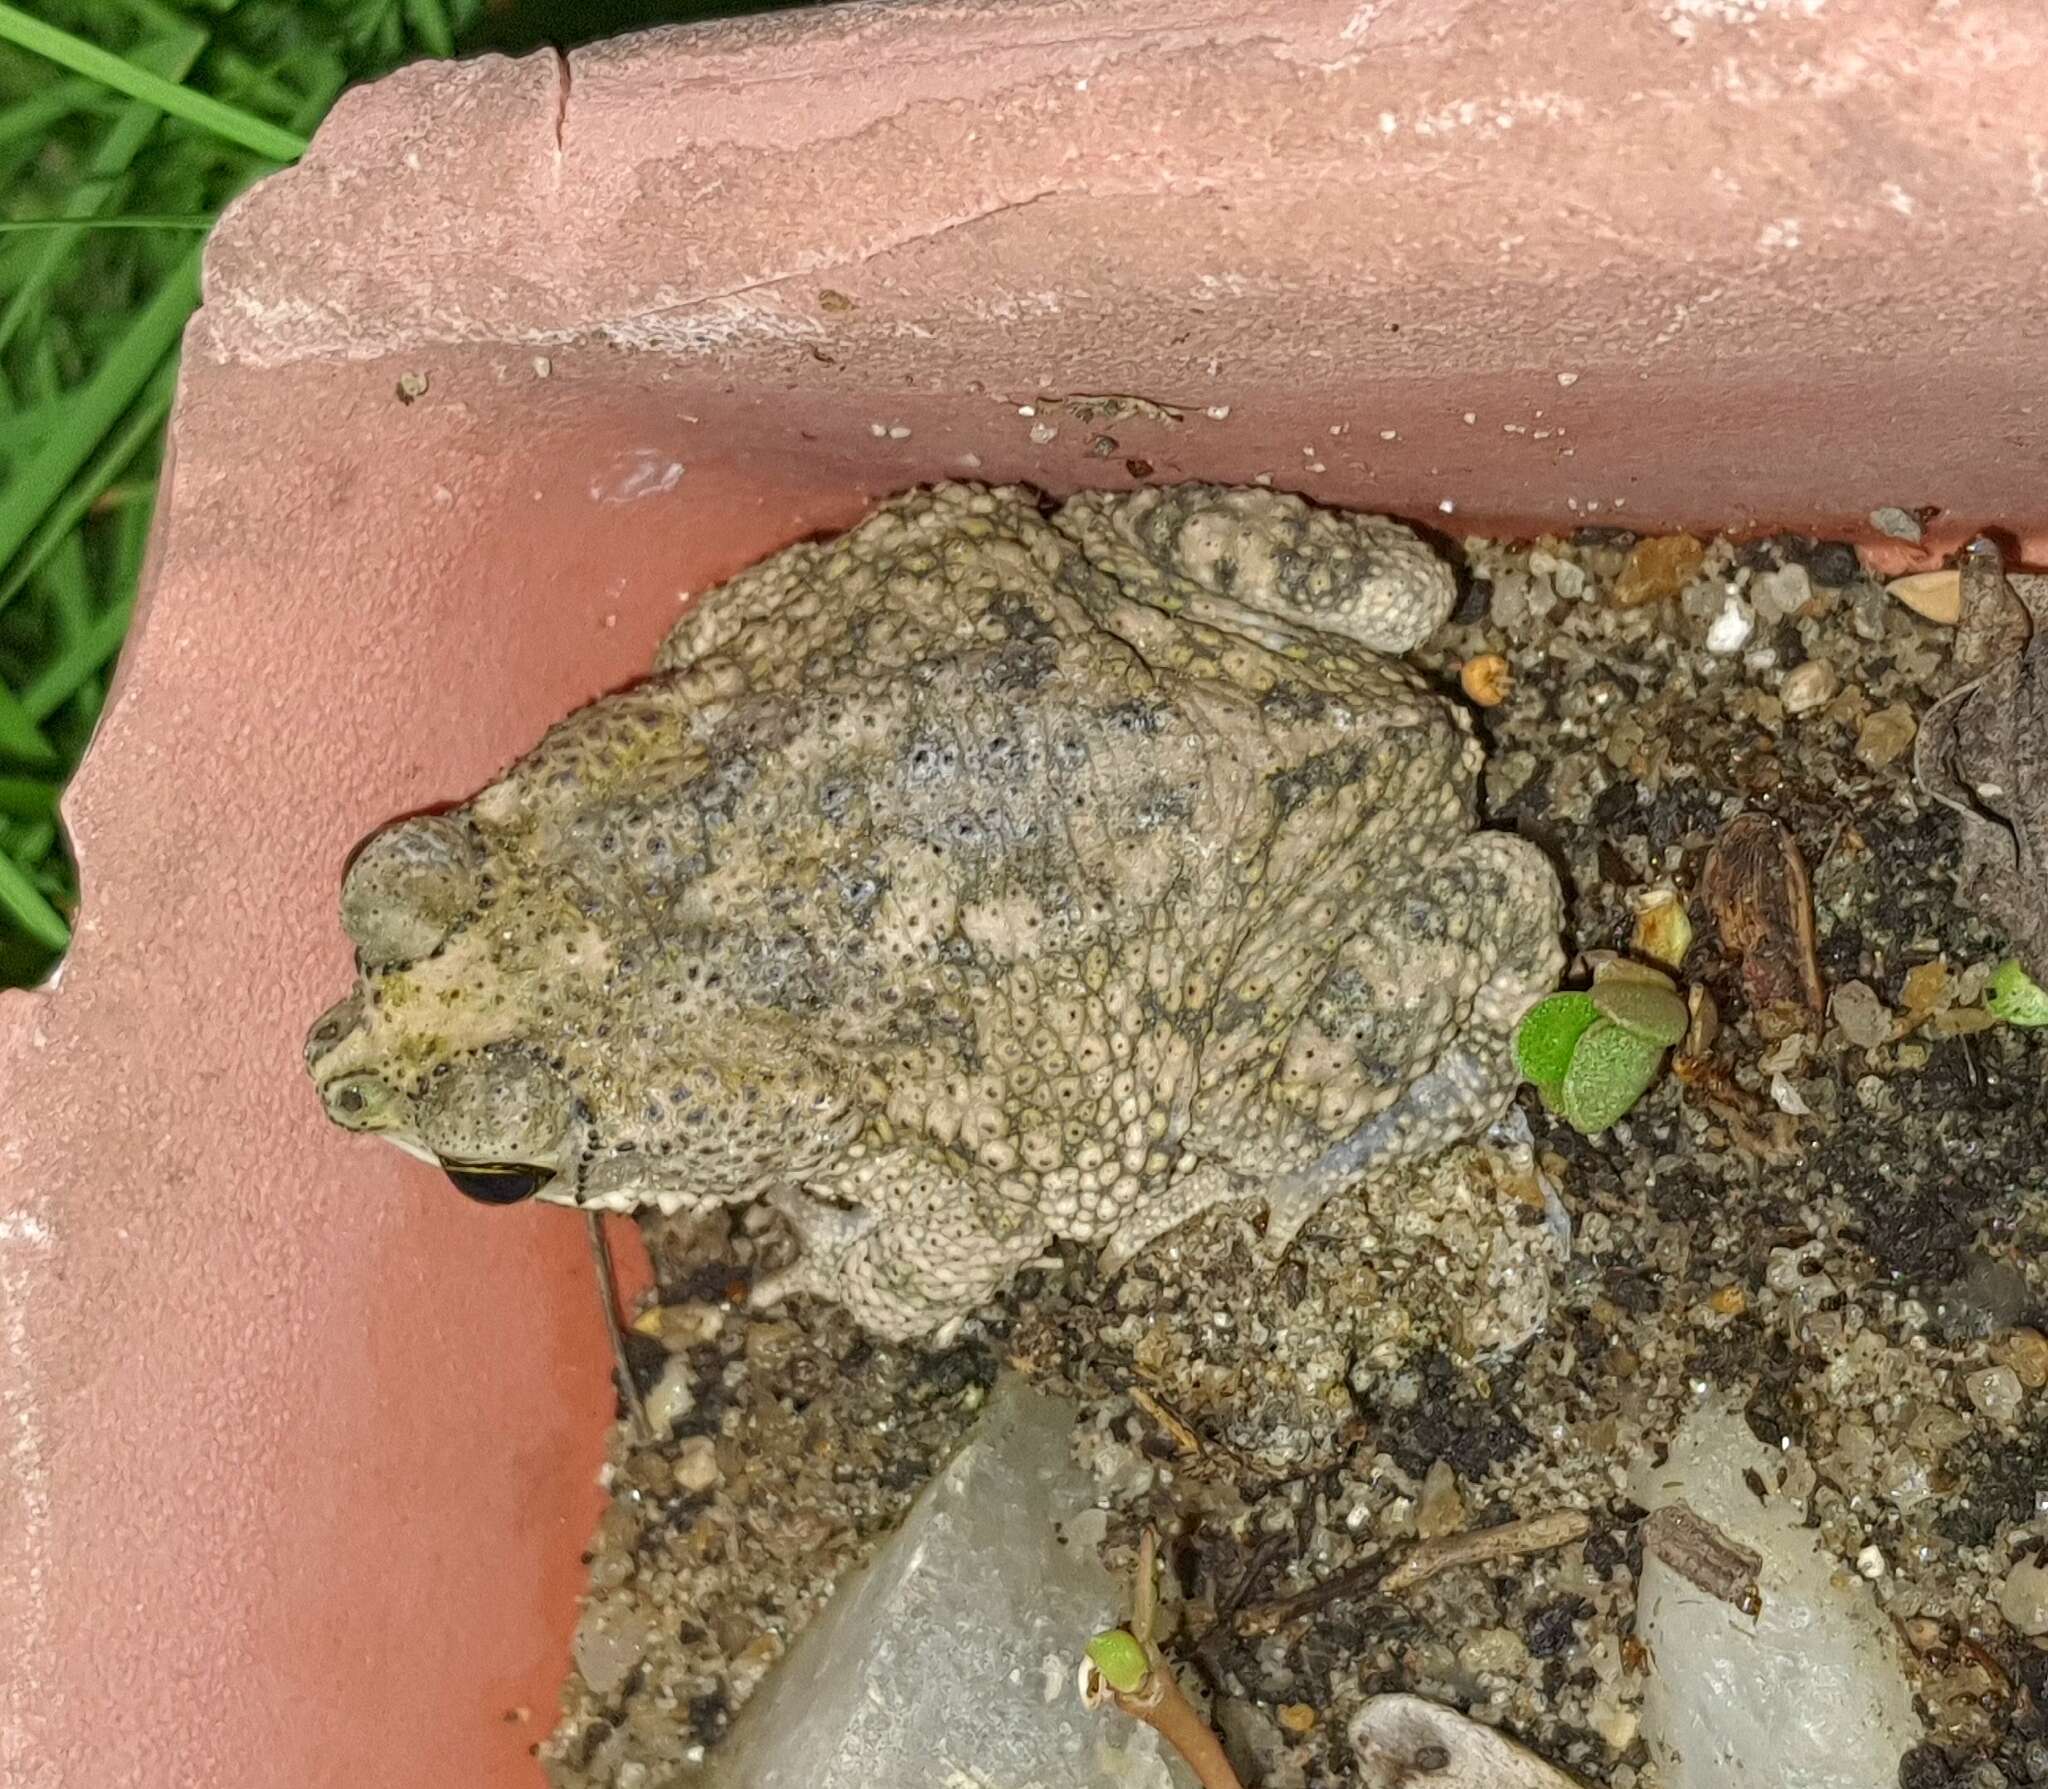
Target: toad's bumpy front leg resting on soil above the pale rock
925	1246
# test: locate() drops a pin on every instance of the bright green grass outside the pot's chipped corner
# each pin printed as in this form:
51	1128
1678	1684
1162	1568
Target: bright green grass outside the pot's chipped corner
126	126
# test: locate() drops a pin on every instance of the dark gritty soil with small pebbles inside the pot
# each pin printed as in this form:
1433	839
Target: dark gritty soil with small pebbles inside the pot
1842	1223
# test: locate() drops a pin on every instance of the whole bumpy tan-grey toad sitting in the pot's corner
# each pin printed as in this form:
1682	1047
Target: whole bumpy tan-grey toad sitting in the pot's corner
978	879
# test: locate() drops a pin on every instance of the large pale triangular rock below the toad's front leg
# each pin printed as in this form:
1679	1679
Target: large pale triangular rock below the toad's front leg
951	1657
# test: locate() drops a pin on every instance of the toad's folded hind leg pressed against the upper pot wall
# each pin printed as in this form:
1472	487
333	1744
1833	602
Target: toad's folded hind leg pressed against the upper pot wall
1269	564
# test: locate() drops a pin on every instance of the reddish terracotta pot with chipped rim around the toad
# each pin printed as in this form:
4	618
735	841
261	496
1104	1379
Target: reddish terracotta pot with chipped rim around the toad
300	1446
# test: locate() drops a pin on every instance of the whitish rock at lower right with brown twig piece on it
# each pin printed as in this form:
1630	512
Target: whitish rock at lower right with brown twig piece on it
1805	1694
